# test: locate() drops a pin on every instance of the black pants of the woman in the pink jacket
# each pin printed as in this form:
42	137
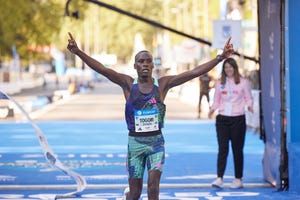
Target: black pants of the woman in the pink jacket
231	129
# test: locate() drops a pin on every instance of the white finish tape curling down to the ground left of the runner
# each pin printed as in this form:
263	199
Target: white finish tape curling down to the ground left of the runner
49	155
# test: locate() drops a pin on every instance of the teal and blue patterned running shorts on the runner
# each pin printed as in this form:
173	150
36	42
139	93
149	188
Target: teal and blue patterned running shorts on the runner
144	151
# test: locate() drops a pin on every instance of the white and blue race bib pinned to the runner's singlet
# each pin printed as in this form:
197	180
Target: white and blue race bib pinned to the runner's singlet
146	120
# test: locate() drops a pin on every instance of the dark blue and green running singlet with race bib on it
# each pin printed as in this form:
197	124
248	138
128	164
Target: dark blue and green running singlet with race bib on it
144	113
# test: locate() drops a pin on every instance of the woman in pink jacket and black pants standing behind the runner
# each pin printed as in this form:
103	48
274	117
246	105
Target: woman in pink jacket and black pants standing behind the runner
232	95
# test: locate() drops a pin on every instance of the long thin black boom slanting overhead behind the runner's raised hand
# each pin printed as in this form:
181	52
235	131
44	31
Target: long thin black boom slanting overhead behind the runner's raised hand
156	24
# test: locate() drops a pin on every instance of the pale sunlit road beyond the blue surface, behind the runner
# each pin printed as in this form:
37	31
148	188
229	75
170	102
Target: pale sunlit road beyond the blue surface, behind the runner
104	102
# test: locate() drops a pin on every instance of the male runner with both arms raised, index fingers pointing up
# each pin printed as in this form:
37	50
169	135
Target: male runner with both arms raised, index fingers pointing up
145	112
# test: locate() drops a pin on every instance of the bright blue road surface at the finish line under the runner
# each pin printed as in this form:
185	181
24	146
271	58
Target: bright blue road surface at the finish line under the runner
97	151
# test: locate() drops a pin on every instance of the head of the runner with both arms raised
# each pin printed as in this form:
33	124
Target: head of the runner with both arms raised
144	64
